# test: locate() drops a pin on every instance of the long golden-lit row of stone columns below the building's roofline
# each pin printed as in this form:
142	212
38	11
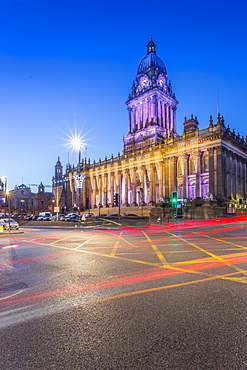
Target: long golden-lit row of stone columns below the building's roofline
215	170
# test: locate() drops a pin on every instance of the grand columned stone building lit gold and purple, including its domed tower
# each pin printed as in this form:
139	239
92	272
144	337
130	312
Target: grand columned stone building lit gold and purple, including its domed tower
156	160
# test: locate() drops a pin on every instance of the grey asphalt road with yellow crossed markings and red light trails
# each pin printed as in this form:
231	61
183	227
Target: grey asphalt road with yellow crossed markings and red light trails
158	297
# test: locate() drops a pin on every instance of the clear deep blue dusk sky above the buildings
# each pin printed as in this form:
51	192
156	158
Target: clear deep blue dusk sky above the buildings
68	66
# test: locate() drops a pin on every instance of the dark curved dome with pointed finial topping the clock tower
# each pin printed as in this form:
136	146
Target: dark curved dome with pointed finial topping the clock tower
151	60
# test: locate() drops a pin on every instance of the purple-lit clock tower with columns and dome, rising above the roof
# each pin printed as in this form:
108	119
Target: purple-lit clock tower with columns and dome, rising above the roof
151	104
